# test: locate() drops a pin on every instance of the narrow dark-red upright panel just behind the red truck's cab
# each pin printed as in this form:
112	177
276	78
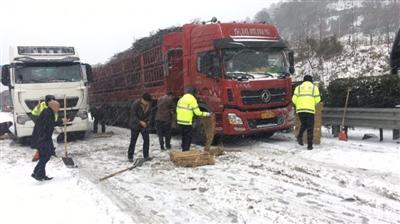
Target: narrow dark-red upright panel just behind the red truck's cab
175	71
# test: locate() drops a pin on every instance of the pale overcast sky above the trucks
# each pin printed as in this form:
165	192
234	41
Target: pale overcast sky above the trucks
100	28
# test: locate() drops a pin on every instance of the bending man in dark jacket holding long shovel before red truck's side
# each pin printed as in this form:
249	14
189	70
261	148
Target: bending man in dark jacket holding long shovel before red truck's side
139	117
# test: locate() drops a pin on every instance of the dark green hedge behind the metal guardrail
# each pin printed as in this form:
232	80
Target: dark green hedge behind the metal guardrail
367	92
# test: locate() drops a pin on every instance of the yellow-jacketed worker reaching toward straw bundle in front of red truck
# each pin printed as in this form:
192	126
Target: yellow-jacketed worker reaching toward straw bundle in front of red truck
187	107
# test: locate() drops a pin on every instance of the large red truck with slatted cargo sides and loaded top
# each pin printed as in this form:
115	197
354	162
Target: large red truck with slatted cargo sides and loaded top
241	71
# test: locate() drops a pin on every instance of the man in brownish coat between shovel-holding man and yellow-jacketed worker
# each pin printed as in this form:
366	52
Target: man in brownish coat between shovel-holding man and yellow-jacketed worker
165	108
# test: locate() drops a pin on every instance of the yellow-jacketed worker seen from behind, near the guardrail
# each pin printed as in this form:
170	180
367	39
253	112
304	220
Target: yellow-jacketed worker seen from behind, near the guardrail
305	98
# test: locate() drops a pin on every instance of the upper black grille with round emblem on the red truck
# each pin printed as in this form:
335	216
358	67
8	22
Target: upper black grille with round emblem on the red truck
262	96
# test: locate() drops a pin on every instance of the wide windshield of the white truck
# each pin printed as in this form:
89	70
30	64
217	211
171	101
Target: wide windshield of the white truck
46	73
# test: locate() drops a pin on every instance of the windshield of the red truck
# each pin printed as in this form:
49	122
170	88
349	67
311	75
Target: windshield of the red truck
253	63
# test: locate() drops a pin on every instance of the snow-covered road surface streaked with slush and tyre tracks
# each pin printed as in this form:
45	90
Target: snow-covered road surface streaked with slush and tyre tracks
257	181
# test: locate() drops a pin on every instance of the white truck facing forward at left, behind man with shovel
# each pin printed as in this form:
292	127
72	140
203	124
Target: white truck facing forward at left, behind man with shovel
37	71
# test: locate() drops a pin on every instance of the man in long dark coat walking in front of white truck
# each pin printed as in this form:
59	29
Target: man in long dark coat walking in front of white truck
41	139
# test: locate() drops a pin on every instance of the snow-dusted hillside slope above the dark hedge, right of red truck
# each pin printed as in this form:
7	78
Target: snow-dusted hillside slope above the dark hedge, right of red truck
360	62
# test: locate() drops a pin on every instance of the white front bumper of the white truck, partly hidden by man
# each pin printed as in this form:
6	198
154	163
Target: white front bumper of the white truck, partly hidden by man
77	125
